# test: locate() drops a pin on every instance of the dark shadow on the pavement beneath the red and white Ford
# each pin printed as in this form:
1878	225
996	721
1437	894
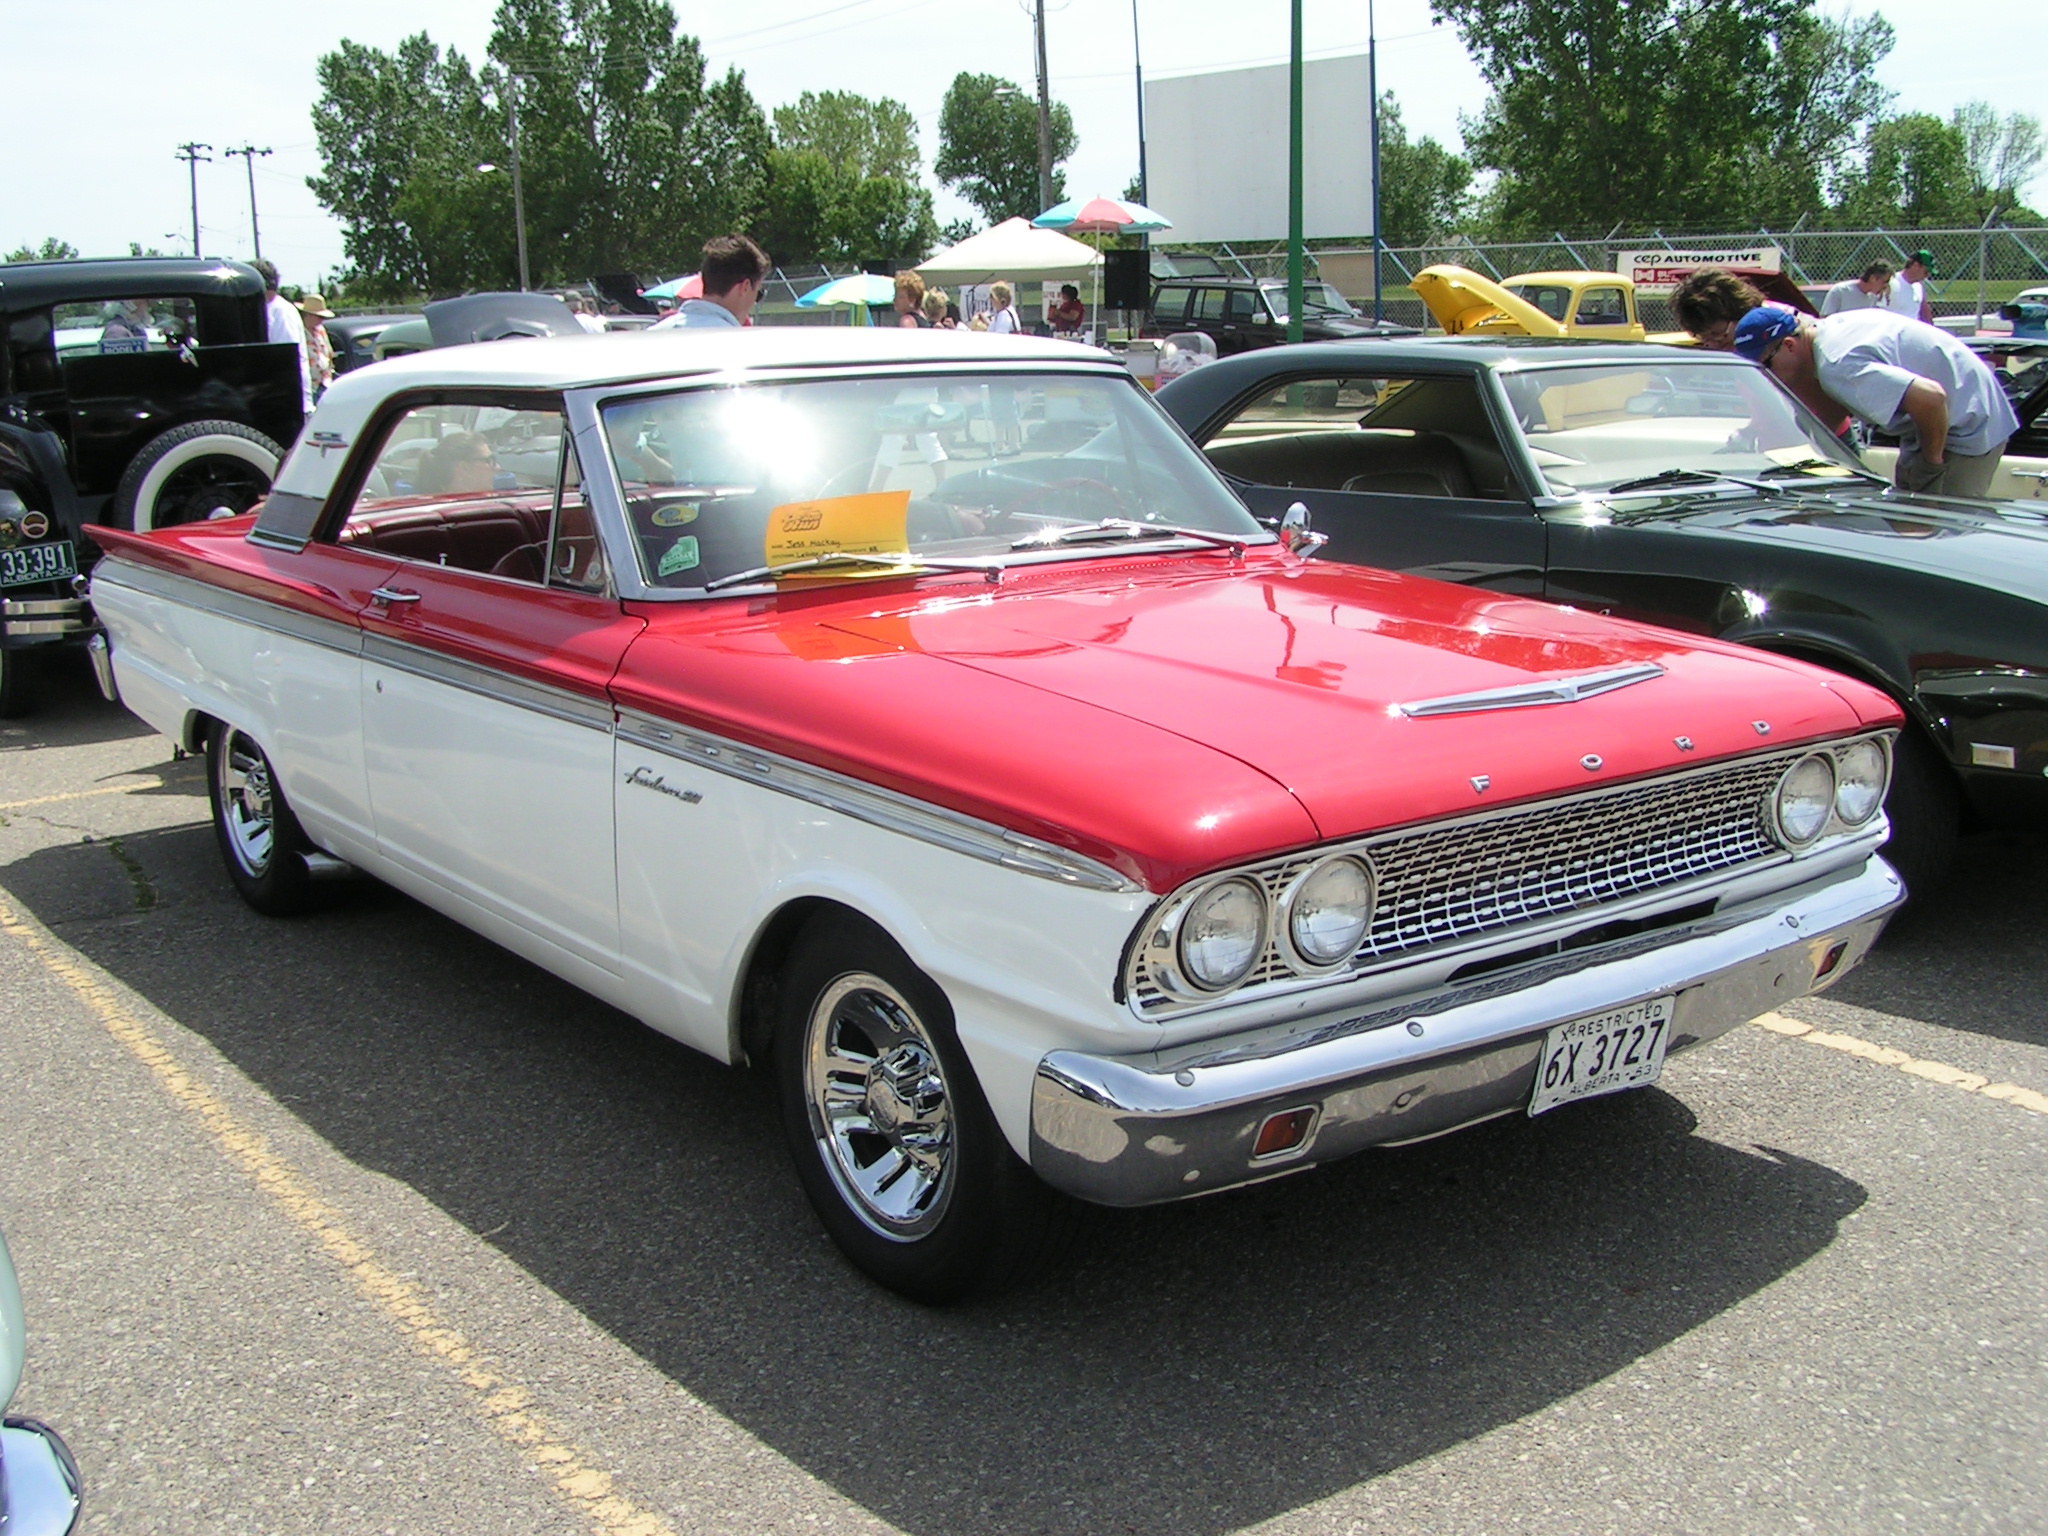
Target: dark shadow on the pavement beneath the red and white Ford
1193	1369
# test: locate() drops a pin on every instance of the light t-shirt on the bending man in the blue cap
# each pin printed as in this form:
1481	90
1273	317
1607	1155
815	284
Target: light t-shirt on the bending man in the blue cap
1871	357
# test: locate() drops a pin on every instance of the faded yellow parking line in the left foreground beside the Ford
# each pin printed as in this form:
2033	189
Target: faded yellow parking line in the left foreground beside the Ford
503	1404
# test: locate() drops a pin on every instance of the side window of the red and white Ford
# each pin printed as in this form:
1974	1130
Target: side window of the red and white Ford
466	484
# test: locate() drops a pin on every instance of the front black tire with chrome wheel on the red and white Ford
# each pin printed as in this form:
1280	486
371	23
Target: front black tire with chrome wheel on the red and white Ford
984	1222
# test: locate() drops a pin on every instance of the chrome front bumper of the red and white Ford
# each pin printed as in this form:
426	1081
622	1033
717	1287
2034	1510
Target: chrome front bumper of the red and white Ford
1132	1132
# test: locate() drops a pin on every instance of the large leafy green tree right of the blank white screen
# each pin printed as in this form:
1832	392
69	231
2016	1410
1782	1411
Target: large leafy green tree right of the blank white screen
1660	112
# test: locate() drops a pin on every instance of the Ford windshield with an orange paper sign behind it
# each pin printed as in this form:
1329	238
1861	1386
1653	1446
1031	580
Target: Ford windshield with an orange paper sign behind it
732	480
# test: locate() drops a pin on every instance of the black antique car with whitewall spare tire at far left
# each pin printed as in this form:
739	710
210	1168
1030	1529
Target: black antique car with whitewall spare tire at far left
132	392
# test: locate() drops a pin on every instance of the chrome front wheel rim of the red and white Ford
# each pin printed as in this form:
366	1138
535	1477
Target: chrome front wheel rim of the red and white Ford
880	1111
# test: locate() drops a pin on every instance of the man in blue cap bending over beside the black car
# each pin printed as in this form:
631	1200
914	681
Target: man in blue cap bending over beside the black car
1916	382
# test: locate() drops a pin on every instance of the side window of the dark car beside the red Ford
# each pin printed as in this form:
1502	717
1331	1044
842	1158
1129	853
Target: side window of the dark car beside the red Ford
1388	437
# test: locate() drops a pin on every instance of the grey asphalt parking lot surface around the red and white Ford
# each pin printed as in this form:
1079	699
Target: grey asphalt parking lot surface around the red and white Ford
355	1224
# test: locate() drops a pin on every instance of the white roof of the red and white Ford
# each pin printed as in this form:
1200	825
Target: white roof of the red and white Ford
636	357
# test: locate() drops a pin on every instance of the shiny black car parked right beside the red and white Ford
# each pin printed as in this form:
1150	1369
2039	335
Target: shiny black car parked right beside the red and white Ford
1680	488
